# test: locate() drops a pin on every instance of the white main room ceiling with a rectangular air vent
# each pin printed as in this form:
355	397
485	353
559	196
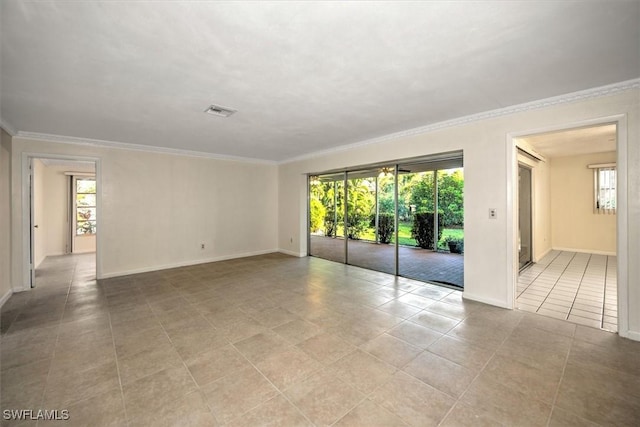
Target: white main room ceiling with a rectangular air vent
304	76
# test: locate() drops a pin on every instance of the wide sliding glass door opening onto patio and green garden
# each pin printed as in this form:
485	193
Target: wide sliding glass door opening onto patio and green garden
404	218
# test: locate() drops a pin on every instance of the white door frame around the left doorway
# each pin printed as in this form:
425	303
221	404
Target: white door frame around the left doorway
26	214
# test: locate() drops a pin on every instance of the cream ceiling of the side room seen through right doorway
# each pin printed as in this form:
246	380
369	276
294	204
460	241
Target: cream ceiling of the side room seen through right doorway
573	142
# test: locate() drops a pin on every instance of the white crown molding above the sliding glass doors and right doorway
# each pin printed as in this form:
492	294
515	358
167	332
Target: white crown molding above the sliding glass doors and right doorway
597	92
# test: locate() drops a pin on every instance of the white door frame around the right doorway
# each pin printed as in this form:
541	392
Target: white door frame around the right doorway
620	120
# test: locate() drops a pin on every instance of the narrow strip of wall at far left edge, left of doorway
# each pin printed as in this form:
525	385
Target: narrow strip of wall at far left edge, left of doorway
5	216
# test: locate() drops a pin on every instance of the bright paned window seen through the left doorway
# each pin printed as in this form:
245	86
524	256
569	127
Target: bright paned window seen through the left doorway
84	224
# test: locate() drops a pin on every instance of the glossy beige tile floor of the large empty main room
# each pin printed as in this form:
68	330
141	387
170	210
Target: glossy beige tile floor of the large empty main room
300	341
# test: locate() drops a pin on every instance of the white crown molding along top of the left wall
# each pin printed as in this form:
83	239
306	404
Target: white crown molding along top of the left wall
136	147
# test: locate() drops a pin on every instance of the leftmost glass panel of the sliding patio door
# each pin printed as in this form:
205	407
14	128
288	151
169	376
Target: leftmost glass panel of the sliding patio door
326	217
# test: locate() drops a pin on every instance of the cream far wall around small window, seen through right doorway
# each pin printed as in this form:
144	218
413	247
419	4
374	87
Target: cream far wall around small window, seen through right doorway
575	226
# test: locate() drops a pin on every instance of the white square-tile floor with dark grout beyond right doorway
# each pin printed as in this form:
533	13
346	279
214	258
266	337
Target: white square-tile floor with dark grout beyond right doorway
578	287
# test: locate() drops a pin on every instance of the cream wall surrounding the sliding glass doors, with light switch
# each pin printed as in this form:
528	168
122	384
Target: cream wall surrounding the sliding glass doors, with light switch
489	179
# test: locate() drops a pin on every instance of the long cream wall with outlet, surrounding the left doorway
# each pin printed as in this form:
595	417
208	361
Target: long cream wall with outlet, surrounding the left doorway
156	209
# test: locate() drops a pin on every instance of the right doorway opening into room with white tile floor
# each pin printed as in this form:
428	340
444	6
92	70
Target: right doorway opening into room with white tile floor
567	225
